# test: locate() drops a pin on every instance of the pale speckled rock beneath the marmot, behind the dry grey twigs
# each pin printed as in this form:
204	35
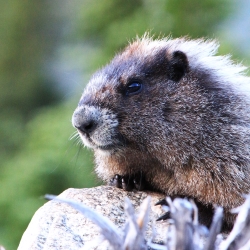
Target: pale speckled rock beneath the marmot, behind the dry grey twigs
58	226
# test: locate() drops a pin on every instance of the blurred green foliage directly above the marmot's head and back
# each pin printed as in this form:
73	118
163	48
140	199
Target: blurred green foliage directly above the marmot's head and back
115	22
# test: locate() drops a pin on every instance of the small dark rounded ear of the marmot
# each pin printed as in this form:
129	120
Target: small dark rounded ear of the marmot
178	65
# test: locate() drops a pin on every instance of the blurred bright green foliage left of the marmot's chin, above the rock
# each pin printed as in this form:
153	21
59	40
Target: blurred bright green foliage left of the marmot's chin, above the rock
46	163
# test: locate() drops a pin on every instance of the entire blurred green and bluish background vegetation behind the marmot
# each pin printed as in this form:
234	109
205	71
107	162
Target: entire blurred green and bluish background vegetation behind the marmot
48	49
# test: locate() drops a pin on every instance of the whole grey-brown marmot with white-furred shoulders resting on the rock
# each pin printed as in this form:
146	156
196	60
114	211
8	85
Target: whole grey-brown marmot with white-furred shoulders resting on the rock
171	115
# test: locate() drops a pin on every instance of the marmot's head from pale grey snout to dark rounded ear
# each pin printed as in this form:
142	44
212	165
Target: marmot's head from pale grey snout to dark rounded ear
124	102
